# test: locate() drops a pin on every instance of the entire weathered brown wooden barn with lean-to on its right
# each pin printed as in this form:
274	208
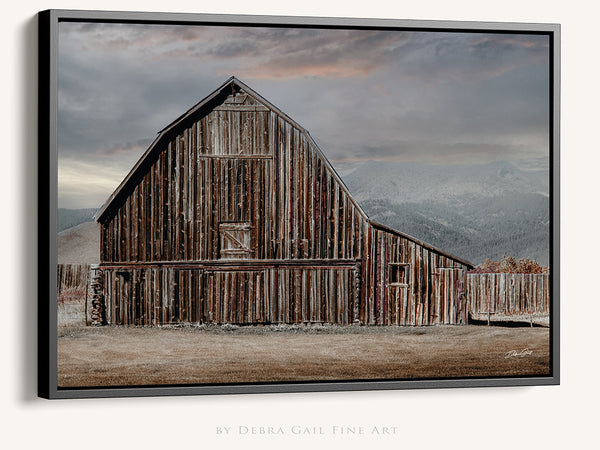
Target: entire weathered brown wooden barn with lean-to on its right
234	215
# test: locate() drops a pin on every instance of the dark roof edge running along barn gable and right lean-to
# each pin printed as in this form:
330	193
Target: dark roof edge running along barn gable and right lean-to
207	104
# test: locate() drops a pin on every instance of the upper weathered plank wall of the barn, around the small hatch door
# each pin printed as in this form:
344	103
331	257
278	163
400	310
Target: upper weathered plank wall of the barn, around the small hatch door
234	166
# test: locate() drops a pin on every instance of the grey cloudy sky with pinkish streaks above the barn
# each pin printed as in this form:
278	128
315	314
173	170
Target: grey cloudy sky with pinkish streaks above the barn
443	98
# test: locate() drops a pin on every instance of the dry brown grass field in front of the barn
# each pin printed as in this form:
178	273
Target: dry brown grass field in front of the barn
119	356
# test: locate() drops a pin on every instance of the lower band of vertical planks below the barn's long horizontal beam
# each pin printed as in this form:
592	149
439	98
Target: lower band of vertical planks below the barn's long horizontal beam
171	295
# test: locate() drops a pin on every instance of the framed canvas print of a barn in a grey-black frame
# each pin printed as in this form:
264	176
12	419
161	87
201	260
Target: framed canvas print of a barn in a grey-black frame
244	204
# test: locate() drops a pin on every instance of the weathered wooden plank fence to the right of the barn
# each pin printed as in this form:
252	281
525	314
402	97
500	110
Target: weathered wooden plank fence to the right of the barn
508	296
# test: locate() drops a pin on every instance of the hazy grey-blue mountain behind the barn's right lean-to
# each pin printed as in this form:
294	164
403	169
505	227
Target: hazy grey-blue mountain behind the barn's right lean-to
475	212
